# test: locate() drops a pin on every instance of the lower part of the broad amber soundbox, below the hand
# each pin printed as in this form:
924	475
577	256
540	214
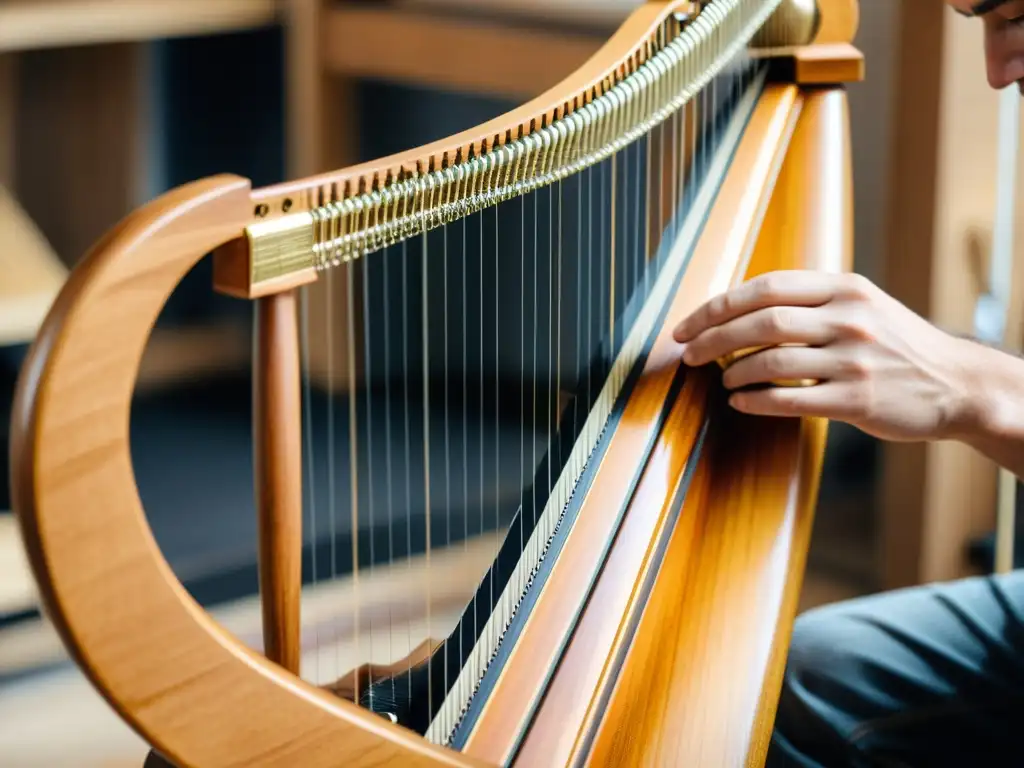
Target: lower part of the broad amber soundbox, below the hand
691	691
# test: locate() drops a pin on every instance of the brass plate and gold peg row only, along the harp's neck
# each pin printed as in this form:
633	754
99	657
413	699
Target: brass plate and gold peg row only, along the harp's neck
343	231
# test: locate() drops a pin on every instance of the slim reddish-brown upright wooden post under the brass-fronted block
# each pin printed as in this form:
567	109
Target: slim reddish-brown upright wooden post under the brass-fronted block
278	437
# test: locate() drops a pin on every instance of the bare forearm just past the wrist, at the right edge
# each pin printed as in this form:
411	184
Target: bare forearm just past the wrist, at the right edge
996	421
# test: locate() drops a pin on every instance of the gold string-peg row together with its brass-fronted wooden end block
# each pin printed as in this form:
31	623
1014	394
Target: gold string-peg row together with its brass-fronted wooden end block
389	206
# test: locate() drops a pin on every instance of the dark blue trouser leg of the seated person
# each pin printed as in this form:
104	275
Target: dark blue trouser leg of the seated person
930	677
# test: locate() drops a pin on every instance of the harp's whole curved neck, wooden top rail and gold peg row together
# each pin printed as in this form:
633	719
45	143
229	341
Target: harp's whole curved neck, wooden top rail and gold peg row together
657	62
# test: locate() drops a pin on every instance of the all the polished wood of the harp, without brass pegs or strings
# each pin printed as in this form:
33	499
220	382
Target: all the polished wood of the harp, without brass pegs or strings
660	634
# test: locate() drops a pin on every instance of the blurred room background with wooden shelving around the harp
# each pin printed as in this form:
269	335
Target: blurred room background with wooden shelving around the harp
108	104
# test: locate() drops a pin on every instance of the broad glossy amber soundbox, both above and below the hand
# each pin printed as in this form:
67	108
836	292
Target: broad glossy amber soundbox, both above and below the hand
702	679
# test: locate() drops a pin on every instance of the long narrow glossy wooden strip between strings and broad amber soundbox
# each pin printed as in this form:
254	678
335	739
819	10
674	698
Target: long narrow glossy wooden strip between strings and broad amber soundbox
726	245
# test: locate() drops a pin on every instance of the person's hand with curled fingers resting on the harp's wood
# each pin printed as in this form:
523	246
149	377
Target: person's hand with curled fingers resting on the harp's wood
881	367
